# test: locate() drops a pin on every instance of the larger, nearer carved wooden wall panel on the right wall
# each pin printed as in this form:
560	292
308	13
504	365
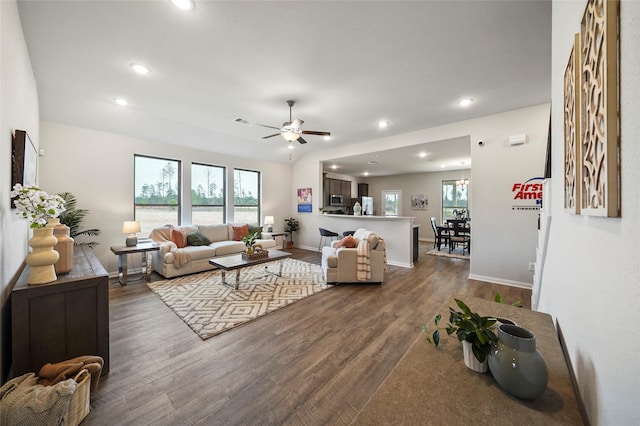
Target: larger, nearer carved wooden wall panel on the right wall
599	102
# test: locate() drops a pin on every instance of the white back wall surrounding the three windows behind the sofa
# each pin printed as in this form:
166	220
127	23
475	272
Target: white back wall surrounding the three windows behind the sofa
97	167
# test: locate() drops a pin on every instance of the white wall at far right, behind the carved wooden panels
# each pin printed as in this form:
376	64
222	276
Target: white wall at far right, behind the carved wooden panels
591	279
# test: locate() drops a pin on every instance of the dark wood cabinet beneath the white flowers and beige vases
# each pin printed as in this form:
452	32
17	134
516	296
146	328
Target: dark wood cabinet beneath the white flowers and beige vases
63	319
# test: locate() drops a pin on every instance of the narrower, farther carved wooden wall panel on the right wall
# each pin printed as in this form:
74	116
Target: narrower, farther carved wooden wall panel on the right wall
572	130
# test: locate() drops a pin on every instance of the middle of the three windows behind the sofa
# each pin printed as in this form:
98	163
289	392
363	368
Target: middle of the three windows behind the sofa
208	191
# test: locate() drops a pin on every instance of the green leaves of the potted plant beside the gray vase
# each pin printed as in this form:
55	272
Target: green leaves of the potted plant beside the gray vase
469	326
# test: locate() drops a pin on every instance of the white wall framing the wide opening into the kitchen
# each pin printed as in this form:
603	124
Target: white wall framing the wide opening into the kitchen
504	240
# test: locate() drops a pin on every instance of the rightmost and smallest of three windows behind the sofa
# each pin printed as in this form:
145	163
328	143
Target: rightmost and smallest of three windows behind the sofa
246	196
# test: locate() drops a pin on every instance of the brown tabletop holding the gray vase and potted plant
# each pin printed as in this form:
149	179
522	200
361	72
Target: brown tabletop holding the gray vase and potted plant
433	386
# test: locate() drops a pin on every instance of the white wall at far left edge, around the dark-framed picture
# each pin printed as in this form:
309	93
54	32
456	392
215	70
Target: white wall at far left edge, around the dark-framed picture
18	110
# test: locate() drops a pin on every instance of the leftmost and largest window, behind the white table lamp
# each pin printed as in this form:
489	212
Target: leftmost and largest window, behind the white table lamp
157	192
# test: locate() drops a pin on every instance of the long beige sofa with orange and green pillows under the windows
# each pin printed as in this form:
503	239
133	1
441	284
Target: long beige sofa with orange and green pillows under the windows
171	261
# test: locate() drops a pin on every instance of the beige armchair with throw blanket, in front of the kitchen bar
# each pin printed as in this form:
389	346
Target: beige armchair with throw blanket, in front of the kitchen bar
340	265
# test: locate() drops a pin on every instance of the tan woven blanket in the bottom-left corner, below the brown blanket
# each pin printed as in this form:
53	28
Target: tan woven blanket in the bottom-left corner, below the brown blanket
24	402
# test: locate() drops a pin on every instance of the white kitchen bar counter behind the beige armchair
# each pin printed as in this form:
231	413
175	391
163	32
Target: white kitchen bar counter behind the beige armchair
398	233
